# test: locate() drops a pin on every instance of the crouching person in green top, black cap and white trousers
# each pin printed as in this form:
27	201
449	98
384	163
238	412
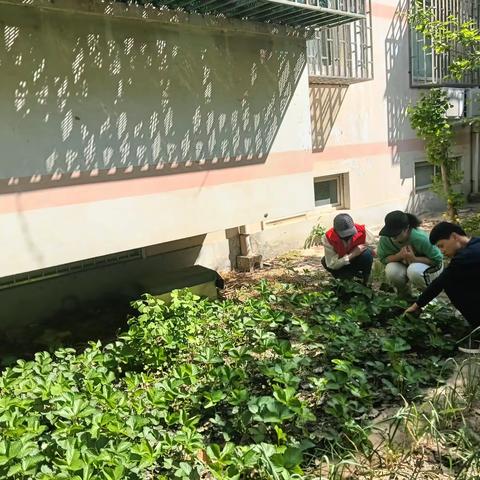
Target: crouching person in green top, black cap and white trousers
408	256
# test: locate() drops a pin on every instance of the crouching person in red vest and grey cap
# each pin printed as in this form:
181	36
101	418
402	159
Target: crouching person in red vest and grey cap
348	249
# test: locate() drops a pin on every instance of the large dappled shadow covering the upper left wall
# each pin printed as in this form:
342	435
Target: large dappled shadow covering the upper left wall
110	99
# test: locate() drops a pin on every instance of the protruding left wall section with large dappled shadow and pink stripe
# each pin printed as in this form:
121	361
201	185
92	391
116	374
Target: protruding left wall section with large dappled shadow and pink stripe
119	133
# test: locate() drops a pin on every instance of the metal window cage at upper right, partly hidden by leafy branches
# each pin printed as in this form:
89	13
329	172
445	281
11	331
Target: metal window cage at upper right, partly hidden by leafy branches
428	68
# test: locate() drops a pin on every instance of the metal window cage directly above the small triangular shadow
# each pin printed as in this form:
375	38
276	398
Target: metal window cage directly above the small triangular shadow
342	54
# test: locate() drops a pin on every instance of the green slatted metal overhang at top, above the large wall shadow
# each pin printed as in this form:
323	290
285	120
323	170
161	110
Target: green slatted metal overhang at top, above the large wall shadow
292	13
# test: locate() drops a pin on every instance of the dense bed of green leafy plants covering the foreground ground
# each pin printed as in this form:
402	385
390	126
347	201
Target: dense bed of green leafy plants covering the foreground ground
281	385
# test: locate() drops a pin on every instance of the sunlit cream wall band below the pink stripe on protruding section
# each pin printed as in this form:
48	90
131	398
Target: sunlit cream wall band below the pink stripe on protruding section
54	236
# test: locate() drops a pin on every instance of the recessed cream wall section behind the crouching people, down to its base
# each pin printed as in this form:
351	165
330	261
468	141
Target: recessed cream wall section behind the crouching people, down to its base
362	131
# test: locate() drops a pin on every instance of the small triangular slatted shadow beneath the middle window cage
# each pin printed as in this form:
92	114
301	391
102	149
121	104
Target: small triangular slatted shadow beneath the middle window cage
325	103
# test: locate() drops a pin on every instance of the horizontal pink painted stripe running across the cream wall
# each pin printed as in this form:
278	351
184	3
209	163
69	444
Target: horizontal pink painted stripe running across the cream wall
277	164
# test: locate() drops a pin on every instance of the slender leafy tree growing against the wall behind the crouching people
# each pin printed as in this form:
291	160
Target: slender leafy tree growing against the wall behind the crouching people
428	118
